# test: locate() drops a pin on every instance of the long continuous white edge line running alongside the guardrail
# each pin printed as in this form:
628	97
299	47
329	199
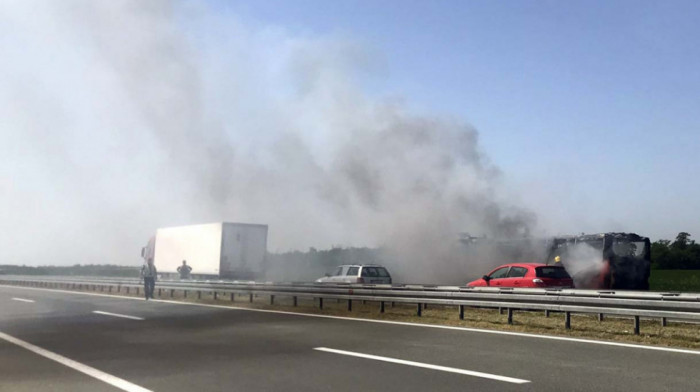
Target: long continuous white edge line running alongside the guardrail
466	329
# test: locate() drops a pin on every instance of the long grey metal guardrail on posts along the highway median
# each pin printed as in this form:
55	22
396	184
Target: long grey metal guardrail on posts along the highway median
664	306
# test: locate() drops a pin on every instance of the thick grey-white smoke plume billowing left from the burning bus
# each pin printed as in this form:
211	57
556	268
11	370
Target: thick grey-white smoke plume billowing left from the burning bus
120	117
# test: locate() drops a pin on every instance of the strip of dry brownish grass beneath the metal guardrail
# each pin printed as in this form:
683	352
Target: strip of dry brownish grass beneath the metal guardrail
675	334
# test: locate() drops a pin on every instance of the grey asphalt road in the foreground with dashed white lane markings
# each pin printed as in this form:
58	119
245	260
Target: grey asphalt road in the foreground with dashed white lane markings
184	347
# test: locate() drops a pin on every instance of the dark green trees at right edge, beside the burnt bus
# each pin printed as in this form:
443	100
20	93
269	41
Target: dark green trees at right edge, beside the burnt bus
683	253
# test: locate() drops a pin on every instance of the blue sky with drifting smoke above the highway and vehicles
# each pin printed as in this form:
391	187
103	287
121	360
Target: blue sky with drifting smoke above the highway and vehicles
351	123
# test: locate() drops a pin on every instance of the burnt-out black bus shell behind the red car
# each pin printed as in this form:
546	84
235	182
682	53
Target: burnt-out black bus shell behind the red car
604	261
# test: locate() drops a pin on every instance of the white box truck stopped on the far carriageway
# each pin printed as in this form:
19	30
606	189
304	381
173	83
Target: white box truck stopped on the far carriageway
225	250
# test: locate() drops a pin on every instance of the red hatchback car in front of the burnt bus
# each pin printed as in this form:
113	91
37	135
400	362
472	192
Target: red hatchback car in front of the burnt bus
525	275
